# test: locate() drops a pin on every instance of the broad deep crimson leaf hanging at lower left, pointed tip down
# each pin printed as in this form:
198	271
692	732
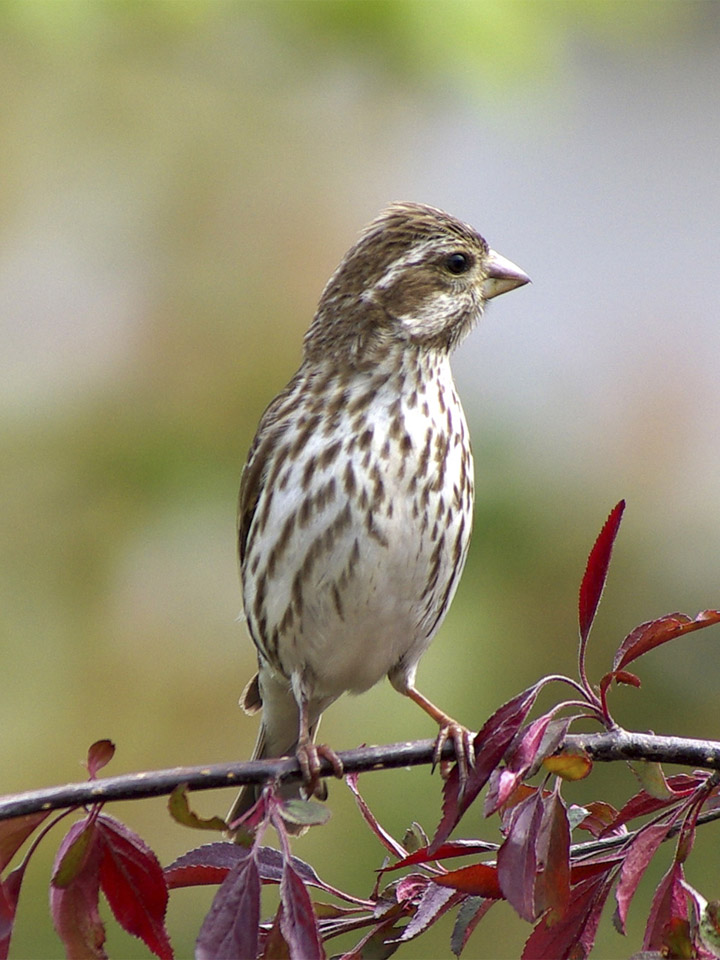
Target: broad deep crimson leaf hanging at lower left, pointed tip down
134	884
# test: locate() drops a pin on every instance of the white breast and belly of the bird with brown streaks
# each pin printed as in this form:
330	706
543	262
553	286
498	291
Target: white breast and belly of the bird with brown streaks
364	537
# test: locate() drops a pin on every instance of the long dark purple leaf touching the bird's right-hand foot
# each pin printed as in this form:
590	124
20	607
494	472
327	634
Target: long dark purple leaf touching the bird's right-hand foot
490	745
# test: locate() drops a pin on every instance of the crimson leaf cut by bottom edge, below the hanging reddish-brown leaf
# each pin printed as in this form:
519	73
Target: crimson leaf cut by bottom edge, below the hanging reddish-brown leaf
574	934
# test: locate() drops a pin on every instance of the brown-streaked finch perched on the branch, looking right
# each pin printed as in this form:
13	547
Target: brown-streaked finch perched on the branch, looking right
356	499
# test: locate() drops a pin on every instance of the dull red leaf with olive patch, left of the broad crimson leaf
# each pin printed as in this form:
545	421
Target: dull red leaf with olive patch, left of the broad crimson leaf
74	906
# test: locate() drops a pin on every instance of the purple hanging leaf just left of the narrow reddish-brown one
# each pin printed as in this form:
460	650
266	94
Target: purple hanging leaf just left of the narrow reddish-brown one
517	859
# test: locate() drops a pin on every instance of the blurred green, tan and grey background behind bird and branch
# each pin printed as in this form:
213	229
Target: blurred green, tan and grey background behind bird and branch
177	182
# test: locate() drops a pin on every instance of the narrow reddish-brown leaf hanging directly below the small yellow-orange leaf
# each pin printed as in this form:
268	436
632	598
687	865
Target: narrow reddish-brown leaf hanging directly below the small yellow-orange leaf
552	884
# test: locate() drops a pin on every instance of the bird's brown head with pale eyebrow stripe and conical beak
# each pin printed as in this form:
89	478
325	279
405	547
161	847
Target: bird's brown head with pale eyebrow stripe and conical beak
415	276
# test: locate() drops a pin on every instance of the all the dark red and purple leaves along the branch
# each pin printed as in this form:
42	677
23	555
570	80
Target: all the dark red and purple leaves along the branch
555	882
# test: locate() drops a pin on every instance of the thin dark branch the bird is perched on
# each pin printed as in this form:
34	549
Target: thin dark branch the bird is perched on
603	747
